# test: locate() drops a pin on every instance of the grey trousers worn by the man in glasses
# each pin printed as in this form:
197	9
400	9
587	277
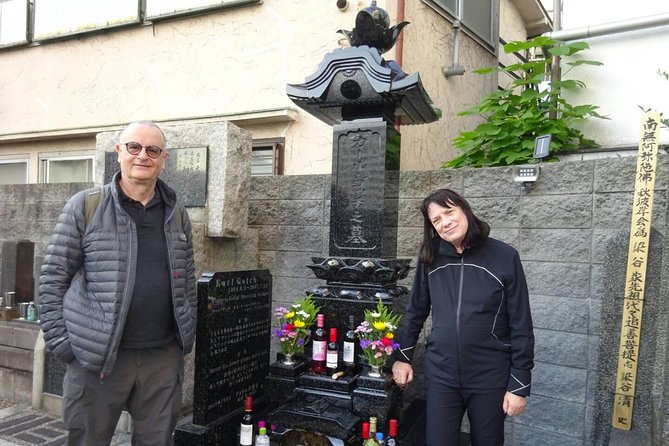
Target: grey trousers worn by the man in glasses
147	382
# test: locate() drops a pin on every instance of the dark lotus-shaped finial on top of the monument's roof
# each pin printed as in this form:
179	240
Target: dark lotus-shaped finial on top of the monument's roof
372	28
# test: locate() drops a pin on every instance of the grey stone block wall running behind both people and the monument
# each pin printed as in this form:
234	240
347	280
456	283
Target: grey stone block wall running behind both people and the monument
570	229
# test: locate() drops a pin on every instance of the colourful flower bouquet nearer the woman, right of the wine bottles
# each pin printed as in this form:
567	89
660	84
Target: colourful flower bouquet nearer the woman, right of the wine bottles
376	333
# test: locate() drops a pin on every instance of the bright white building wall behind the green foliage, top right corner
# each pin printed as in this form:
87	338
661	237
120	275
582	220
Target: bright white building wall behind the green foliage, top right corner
628	79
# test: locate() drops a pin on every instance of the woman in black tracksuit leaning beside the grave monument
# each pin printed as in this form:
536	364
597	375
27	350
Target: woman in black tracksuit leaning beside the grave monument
481	348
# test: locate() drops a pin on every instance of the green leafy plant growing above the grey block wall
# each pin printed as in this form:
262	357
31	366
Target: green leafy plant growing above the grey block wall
515	116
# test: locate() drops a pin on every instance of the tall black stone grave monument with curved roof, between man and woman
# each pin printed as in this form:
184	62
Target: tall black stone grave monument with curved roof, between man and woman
362	96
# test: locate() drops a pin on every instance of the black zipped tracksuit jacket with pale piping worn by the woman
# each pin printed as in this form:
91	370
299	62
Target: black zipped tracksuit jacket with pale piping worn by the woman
482	336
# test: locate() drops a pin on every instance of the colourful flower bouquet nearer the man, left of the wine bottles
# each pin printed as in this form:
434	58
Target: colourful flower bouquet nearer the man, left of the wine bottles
293	326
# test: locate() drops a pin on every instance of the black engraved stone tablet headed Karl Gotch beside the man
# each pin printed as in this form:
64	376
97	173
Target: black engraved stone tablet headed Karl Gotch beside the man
233	341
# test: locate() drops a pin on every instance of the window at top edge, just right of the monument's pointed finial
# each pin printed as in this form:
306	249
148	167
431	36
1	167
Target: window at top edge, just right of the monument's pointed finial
478	16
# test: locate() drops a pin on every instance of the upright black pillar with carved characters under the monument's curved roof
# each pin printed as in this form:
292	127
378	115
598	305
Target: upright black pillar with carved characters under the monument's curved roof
358	181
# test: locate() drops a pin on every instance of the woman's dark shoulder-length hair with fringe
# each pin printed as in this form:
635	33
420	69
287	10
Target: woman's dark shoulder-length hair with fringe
477	229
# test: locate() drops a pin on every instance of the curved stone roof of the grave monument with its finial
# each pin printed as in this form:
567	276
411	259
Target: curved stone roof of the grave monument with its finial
357	83
